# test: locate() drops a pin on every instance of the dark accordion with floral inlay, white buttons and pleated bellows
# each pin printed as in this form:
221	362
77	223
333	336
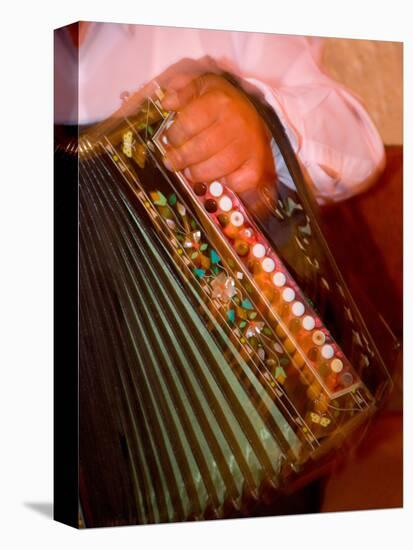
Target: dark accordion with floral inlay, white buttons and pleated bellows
221	356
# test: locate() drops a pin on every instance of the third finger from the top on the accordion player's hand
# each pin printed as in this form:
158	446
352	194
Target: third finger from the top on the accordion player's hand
201	147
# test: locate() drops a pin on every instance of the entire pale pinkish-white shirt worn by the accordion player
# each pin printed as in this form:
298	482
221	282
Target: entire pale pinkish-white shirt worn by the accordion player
333	135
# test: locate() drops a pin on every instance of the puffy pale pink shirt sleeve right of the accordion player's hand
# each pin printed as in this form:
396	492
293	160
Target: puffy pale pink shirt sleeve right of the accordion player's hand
331	132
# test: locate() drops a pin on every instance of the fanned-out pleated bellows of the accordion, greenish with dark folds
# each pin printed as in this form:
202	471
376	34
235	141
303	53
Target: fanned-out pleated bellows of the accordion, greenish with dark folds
198	433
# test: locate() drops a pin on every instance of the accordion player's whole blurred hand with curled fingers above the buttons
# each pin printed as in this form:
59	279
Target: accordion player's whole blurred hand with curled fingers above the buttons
217	134
